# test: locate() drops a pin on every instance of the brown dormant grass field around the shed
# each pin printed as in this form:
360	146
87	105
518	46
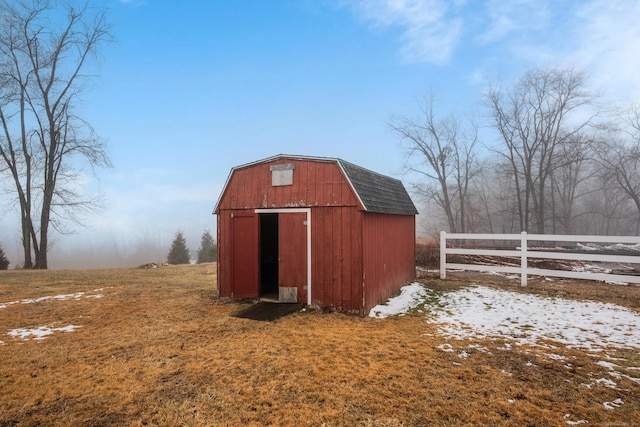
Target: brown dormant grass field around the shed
156	347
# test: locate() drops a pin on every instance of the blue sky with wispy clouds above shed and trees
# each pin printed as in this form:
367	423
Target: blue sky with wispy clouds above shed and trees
190	89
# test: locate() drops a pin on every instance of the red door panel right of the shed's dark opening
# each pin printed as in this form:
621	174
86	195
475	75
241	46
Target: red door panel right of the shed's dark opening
292	254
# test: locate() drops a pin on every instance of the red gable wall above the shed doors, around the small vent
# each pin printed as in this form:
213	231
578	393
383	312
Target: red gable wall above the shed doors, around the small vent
315	183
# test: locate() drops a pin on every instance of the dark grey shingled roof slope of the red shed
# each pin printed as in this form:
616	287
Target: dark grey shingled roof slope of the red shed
377	192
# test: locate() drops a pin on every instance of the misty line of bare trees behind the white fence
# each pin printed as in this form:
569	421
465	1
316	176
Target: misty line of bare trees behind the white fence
544	155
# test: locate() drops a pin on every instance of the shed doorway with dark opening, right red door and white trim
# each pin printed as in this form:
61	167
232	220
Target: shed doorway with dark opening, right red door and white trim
284	237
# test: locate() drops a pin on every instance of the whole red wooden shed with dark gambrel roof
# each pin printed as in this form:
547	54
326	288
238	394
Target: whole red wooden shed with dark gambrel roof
319	231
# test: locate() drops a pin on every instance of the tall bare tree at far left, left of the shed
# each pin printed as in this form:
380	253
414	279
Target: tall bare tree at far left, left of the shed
43	49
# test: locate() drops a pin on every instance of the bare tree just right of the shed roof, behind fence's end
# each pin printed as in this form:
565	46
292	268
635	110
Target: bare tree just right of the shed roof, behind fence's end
443	152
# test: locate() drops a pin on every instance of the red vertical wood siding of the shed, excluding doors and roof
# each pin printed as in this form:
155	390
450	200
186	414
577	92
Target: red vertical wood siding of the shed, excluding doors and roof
358	258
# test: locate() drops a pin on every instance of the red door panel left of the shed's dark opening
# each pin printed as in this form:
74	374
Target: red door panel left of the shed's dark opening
244	262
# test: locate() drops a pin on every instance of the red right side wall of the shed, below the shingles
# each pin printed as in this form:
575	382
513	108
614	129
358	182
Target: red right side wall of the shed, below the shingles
389	255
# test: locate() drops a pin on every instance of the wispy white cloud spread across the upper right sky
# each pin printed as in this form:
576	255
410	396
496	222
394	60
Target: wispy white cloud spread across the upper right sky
599	36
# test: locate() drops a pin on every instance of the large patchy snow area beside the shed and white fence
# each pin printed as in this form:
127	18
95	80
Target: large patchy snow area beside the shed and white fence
480	311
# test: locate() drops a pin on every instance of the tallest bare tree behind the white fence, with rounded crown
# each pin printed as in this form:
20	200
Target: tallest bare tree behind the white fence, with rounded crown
534	120
